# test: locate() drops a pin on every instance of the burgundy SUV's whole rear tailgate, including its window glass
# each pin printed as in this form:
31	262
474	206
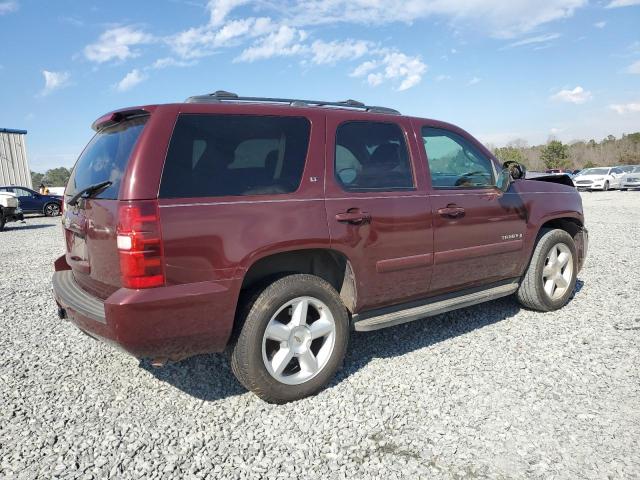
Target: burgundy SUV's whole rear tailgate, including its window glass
90	226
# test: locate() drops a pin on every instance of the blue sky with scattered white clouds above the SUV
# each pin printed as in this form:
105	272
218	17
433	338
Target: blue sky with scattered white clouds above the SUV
522	69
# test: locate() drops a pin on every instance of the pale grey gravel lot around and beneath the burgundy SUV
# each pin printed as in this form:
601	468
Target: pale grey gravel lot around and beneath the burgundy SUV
492	391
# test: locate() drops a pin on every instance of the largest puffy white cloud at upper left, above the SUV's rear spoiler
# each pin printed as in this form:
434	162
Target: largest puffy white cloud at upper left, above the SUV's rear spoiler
116	43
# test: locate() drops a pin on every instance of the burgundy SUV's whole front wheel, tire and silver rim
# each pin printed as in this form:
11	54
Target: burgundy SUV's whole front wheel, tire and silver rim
551	276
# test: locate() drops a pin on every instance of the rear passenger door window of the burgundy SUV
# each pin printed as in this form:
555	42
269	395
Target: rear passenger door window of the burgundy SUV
372	156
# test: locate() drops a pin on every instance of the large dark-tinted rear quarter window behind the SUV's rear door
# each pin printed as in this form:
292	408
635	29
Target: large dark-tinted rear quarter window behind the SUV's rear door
216	155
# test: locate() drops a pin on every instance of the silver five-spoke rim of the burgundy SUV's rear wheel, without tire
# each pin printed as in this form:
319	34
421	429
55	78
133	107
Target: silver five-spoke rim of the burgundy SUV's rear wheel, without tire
299	340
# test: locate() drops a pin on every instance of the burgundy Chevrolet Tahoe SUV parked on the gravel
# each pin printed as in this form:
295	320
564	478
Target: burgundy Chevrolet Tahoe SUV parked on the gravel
273	227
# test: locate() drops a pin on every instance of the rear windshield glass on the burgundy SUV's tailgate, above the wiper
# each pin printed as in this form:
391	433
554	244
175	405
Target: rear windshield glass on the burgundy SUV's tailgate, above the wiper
106	157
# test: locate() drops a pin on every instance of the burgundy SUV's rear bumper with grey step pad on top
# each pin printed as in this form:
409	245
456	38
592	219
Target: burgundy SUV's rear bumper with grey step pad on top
167	322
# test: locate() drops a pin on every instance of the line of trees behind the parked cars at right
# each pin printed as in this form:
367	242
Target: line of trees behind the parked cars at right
575	155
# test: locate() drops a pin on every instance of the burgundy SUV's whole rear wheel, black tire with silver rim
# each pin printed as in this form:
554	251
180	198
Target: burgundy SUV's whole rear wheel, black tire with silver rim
289	346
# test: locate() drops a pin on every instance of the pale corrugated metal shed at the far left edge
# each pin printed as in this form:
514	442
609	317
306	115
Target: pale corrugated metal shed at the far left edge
14	168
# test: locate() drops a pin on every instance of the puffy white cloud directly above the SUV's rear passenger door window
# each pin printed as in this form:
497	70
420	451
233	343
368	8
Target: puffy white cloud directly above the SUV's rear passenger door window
404	70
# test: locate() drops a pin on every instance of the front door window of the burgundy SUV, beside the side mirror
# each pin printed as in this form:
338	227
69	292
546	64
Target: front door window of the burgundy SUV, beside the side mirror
454	162
